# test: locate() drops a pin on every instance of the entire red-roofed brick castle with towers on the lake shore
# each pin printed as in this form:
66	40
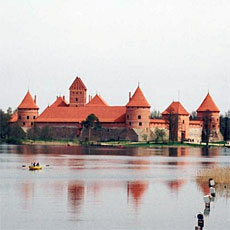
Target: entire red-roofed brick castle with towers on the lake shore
129	122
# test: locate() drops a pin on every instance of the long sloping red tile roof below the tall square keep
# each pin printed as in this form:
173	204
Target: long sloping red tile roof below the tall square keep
78	114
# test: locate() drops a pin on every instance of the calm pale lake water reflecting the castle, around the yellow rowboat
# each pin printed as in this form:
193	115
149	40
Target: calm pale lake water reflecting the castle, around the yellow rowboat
109	188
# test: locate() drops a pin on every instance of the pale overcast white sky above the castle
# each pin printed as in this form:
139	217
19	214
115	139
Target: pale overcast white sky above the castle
176	50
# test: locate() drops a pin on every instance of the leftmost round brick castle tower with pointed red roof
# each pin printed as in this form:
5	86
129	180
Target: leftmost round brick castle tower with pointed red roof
27	111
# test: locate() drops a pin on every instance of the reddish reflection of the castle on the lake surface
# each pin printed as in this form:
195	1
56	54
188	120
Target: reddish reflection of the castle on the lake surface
78	192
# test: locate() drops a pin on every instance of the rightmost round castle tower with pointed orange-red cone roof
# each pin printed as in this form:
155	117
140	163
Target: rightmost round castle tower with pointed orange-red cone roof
209	113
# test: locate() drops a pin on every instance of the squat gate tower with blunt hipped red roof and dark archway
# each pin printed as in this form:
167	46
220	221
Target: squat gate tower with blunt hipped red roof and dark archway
178	121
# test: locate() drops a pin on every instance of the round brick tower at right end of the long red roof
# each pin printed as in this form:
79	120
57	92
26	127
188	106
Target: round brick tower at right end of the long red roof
138	111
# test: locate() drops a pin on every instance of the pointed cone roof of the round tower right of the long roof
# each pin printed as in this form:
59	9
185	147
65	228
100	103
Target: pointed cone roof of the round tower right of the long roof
138	99
